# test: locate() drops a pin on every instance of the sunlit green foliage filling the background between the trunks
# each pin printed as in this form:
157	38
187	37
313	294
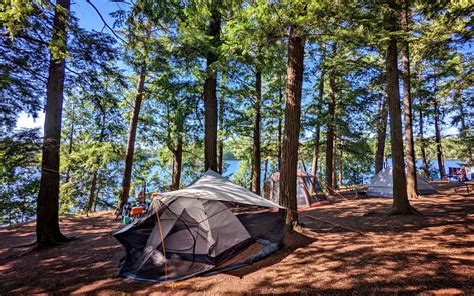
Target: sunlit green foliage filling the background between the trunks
171	40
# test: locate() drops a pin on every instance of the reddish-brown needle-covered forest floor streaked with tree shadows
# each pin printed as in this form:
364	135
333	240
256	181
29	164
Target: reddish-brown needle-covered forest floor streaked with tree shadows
432	254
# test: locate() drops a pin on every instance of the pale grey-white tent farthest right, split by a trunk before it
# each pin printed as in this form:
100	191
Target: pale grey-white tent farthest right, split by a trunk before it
382	184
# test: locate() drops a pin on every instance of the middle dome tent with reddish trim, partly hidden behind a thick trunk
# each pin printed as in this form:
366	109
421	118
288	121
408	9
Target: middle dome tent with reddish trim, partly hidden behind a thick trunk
309	192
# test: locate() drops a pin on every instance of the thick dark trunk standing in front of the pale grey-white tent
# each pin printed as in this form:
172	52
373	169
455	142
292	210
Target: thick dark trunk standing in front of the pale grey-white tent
401	205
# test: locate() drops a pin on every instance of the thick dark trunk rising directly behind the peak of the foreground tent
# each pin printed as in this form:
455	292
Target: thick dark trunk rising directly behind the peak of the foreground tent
210	89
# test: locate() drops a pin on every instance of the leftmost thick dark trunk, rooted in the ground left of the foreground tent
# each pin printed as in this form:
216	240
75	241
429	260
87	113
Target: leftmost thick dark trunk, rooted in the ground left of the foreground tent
47	211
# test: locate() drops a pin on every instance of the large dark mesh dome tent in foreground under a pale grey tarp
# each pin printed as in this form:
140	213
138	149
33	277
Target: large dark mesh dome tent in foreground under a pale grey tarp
212	225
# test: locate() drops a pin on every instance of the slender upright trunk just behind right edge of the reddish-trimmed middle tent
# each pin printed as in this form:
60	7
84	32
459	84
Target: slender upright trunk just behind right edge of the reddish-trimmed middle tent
331	125
